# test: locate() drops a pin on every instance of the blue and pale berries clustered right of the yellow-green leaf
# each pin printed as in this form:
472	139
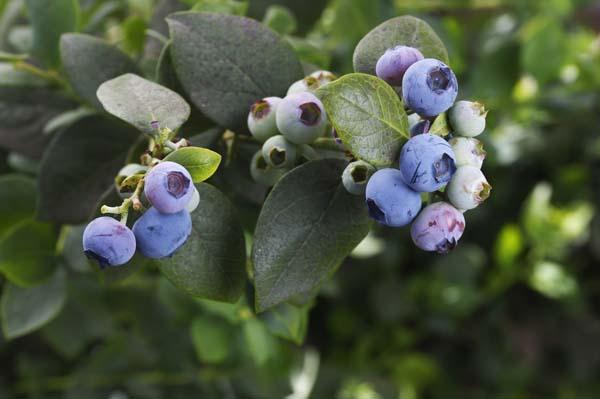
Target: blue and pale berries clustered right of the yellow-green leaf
428	163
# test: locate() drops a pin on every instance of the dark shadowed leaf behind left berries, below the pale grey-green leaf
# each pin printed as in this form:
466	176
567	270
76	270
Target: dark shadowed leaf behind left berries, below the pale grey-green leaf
79	165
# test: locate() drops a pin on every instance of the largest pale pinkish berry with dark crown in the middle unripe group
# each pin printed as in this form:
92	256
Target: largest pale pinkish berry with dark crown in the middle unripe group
301	118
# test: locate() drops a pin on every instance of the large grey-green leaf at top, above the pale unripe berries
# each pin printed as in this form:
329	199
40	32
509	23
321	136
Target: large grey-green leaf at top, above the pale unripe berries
225	63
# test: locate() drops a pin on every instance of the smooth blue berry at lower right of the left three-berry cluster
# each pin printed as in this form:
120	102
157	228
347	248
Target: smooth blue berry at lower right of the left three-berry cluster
159	235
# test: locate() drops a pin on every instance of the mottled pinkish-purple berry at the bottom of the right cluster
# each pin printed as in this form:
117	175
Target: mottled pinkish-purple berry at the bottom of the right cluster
438	228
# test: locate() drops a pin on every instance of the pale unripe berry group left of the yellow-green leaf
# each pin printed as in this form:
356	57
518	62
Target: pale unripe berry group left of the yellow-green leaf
286	127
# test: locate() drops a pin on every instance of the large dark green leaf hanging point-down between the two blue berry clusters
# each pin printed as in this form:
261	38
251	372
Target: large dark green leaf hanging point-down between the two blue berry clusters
307	226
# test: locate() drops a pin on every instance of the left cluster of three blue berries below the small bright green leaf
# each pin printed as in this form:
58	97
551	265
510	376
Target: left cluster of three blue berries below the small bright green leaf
160	231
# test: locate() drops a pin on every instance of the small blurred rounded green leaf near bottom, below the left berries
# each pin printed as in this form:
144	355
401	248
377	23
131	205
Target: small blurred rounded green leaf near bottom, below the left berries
211	338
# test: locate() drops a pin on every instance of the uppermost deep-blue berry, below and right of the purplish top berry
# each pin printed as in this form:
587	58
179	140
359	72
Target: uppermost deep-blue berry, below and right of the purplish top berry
429	87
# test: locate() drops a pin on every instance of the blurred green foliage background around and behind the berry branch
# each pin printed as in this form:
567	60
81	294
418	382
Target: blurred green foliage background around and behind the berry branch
513	312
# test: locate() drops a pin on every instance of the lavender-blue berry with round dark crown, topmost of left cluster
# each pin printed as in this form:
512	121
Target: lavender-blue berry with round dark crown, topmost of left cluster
168	186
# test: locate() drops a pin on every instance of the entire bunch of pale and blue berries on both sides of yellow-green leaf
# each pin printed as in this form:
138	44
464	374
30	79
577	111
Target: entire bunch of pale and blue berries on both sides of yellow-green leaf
428	163
